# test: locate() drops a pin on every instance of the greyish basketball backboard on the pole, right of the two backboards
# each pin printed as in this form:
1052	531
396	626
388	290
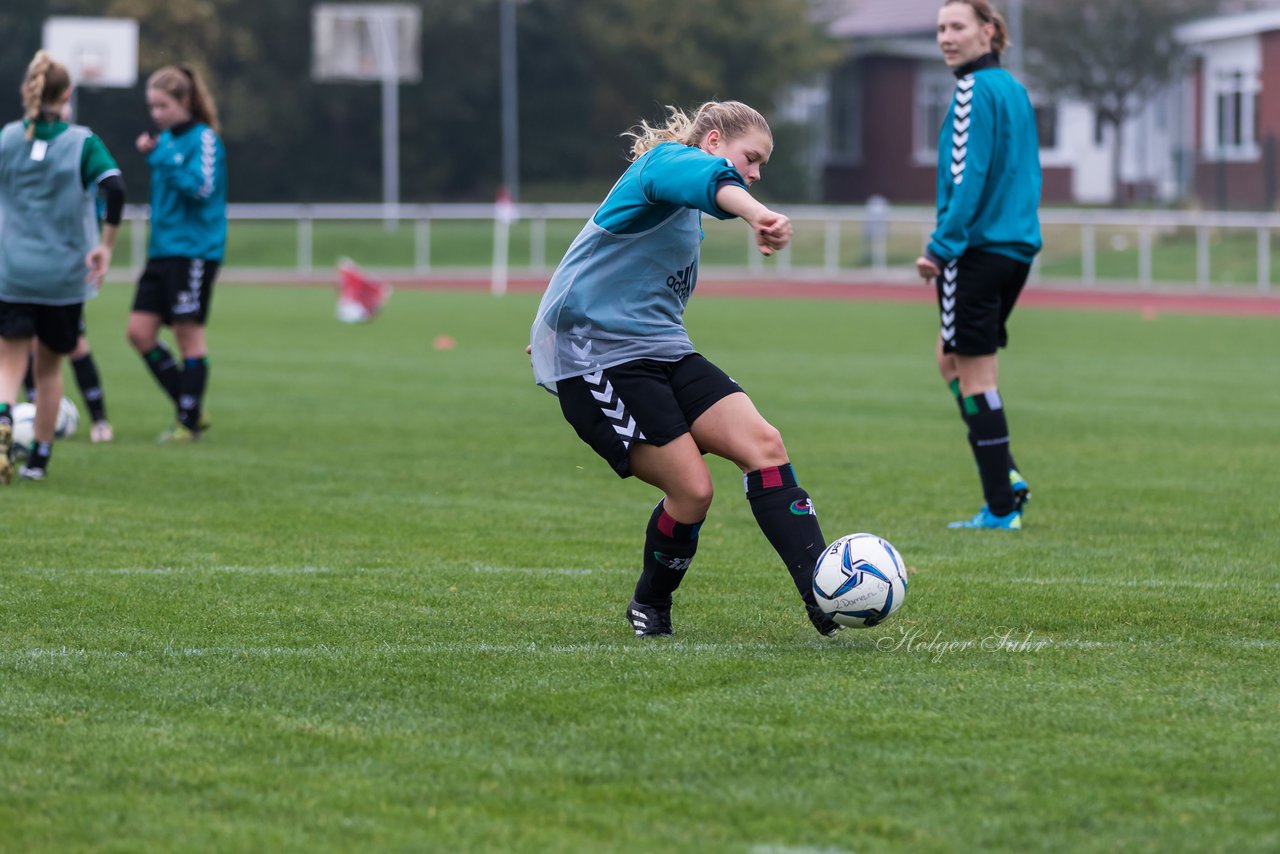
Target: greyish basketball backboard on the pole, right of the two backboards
367	42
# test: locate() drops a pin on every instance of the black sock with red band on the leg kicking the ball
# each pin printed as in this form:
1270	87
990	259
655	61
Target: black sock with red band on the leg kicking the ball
788	520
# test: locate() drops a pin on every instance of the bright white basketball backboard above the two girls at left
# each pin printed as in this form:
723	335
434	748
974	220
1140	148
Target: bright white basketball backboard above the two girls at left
98	52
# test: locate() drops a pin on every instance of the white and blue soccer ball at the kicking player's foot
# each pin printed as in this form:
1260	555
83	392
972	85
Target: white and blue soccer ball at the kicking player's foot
861	581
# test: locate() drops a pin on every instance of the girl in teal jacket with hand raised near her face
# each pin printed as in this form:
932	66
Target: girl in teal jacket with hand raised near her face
189	239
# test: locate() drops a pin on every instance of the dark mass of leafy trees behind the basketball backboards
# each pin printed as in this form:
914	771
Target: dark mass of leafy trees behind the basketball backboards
587	71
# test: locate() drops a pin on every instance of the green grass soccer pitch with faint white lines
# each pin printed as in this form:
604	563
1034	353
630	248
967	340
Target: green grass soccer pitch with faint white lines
381	606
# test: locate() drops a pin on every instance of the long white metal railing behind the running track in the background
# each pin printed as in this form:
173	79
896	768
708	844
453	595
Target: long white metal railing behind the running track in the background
881	232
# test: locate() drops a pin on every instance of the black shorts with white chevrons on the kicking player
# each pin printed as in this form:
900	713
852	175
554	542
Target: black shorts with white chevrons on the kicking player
641	401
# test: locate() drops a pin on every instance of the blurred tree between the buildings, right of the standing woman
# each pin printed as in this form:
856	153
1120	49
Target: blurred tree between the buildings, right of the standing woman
1112	54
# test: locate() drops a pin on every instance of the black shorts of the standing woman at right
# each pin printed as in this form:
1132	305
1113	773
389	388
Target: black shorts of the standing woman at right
976	295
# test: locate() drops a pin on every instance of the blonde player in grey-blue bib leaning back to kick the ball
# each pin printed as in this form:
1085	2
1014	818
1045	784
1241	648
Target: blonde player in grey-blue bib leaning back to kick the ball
610	341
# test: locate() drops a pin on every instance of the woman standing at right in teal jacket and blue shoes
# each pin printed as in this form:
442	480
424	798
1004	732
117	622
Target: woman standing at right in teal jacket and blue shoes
986	239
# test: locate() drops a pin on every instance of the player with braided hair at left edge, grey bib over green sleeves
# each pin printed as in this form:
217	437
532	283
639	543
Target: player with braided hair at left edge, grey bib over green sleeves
53	253
